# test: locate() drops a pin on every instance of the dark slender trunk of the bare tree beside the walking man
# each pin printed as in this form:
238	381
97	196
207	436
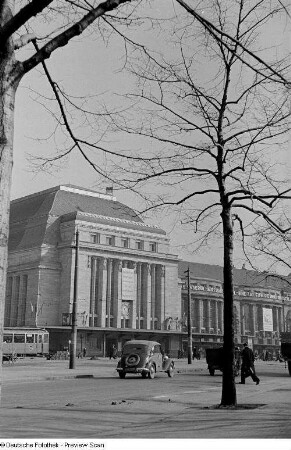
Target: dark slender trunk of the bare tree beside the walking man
228	397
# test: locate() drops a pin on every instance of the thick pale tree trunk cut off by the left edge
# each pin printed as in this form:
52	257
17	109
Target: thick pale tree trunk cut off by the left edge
7	97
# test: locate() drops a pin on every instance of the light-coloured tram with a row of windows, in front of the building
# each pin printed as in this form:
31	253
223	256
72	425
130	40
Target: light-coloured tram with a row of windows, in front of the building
21	341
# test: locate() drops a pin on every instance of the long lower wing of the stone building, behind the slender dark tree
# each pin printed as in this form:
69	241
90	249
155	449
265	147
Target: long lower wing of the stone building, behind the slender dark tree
262	306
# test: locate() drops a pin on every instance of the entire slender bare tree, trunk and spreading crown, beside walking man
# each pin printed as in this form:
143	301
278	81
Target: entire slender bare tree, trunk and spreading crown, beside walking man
215	124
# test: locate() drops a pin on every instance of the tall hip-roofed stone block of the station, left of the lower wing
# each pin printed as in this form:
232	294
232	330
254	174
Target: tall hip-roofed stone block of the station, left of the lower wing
127	277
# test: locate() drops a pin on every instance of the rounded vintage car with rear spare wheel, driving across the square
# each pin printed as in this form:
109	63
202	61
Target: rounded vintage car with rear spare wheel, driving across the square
145	358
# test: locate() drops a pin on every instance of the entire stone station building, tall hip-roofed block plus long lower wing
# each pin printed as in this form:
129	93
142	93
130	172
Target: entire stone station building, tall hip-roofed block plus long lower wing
130	285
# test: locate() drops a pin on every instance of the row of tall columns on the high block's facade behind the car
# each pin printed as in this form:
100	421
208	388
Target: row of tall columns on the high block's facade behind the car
109	308
